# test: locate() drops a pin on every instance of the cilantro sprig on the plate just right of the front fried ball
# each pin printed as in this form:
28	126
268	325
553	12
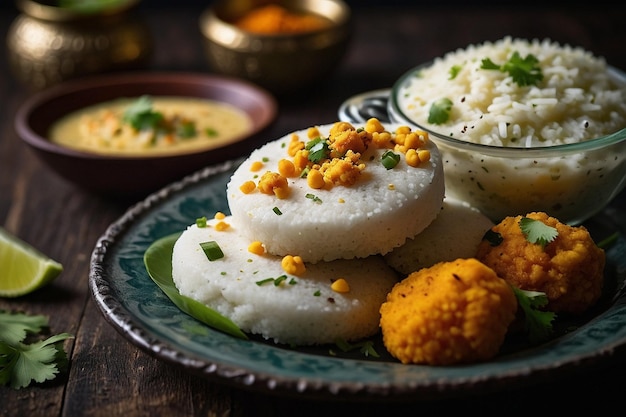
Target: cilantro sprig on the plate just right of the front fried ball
538	323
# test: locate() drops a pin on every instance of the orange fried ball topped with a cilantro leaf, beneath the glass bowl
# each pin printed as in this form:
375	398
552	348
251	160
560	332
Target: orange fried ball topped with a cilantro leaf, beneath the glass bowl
569	270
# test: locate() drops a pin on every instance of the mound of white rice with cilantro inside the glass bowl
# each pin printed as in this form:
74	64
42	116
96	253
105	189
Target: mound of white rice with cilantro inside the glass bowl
577	99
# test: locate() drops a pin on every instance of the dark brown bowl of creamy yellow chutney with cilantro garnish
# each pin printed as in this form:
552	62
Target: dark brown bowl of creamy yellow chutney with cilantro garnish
132	145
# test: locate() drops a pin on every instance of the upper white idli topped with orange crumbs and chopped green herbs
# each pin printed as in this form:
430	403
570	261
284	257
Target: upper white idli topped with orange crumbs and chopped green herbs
338	191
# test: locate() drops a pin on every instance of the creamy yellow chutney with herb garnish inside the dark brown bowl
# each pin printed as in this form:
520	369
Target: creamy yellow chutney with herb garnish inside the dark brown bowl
149	125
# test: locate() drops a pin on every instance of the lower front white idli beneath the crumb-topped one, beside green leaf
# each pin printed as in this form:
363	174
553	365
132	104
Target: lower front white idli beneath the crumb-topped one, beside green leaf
302	310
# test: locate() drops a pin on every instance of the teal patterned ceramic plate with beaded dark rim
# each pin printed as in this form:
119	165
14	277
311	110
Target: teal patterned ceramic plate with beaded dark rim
146	317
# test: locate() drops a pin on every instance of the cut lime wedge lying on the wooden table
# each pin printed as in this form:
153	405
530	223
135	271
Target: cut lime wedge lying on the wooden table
23	269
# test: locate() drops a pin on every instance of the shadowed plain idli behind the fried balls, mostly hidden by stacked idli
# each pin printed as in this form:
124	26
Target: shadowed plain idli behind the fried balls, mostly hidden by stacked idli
455	233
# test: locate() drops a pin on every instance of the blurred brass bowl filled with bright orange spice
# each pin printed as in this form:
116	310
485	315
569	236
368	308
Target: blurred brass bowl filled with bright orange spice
283	46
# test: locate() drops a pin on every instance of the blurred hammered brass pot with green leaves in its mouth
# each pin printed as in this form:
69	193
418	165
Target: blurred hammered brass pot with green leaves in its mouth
48	44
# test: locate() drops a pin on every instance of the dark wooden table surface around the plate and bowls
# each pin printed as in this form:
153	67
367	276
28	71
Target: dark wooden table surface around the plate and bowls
108	376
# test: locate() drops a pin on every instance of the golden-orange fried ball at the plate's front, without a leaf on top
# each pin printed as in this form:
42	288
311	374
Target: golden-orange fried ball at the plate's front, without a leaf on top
452	312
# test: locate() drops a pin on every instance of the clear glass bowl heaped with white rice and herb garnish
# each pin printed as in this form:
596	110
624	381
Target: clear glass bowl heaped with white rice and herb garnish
517	169
